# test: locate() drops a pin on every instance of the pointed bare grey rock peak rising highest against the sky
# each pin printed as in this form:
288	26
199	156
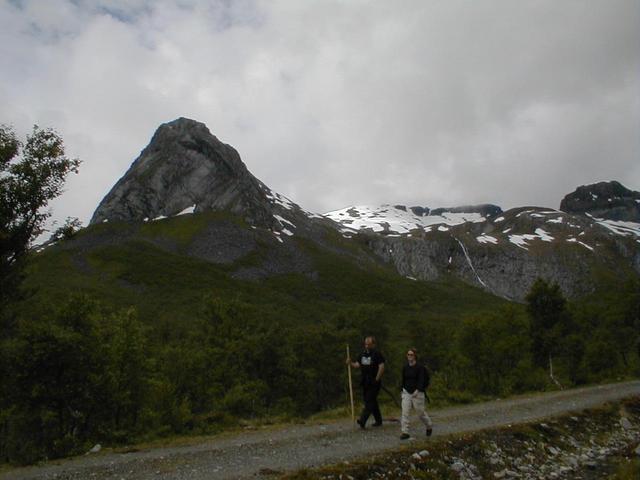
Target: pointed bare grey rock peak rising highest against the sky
186	167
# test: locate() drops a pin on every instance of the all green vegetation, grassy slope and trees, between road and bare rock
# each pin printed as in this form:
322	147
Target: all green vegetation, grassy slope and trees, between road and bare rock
155	343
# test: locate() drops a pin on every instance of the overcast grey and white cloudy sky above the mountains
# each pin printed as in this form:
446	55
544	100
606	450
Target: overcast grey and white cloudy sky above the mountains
335	103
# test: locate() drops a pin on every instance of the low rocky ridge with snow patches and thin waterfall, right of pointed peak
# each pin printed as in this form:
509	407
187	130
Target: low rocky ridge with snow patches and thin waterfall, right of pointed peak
502	252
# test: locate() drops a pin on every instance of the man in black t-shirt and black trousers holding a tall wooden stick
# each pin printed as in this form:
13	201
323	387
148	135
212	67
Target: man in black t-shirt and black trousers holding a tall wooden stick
371	365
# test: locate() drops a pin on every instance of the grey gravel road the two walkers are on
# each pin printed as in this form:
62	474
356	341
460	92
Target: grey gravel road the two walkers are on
253	454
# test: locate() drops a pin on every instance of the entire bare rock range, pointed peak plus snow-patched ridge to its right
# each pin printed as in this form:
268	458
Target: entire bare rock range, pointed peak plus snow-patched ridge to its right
187	170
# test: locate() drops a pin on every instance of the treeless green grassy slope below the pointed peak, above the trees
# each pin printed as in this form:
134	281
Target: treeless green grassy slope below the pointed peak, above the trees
167	286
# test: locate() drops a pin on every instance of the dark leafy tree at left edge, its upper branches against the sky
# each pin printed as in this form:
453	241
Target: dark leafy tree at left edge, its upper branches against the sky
31	174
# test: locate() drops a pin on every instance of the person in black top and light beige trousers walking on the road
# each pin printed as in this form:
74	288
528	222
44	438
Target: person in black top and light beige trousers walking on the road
414	384
